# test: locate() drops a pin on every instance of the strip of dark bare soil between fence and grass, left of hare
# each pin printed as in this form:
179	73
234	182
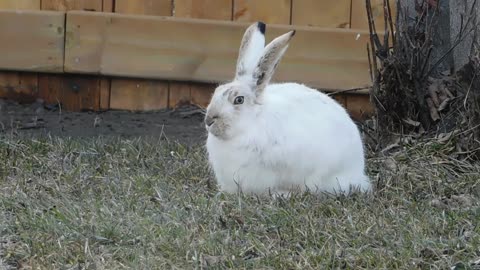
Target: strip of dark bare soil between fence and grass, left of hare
184	124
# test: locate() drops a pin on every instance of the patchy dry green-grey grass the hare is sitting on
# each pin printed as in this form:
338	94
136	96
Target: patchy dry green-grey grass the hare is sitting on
142	204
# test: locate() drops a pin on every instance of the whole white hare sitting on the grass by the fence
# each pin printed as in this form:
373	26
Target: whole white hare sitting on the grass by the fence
279	137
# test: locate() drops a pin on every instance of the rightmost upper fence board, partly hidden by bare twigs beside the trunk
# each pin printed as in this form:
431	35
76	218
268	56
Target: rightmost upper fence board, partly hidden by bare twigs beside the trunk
359	14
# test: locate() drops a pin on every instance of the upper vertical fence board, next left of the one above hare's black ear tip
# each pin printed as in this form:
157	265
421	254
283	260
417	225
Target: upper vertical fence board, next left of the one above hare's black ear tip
222	9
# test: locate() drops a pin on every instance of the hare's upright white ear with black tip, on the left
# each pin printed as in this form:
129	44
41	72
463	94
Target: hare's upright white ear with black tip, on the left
251	49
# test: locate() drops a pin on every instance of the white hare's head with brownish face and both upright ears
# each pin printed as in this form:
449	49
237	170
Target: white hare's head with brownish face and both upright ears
234	105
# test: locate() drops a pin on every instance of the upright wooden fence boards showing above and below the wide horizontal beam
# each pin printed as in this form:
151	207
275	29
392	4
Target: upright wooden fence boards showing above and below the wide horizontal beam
91	92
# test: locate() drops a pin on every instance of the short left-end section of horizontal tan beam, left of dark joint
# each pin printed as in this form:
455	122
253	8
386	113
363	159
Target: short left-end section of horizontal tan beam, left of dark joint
38	47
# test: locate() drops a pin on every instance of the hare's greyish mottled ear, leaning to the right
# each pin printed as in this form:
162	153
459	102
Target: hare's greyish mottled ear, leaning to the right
268	62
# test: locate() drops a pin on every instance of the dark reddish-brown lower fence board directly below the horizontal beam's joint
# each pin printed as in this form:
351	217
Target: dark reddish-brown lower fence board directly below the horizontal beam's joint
74	93
